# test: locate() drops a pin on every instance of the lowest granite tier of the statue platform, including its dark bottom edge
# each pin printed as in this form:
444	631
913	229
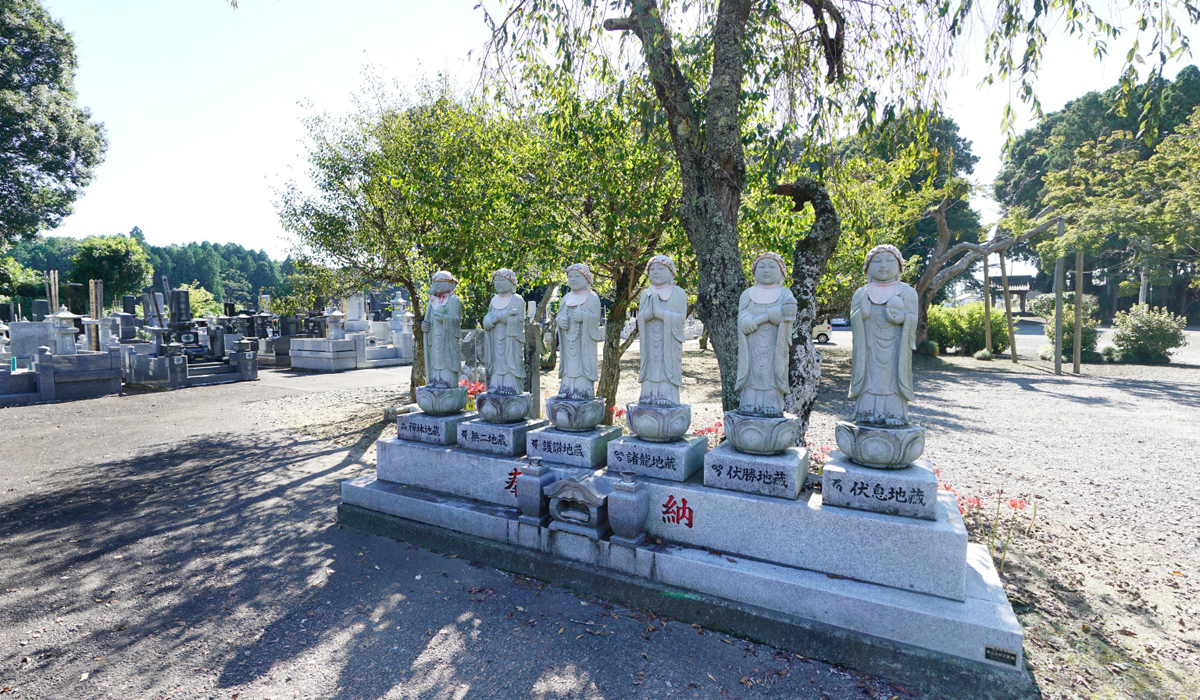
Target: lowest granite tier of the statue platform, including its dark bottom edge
940	648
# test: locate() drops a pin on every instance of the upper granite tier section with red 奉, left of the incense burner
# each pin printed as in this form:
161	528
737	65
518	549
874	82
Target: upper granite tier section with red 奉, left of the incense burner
454	471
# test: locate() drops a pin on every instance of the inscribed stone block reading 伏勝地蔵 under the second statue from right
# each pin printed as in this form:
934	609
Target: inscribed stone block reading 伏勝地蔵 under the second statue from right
781	476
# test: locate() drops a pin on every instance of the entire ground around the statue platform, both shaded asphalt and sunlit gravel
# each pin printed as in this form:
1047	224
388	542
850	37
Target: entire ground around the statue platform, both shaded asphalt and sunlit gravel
183	546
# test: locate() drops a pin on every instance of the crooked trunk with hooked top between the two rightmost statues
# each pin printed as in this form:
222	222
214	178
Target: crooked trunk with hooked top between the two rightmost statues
809	264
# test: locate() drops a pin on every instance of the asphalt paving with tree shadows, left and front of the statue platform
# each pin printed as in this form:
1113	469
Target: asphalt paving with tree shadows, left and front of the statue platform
181	546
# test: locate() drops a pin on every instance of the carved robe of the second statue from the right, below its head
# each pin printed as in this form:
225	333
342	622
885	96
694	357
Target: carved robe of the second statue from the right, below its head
763	355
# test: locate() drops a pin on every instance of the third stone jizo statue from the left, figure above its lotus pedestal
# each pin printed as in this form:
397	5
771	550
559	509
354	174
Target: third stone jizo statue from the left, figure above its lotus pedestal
579	325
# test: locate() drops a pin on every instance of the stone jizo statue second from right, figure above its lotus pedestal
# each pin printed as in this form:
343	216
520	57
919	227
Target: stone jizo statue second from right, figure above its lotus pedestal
766	315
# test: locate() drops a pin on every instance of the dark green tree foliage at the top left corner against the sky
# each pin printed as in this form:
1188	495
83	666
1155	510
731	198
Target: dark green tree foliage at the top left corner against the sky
50	145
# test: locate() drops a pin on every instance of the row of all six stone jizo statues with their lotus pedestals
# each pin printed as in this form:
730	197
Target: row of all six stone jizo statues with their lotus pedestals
884	319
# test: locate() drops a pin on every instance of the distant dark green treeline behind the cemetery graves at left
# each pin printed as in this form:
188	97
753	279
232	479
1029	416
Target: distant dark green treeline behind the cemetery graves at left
230	272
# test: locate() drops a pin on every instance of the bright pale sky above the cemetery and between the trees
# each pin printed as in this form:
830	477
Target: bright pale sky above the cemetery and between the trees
203	104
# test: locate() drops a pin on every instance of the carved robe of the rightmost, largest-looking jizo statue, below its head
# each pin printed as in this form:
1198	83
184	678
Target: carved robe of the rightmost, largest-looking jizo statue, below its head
881	367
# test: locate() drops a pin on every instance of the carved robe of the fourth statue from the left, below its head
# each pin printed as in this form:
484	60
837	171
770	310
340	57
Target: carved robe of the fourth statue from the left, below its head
661	327
